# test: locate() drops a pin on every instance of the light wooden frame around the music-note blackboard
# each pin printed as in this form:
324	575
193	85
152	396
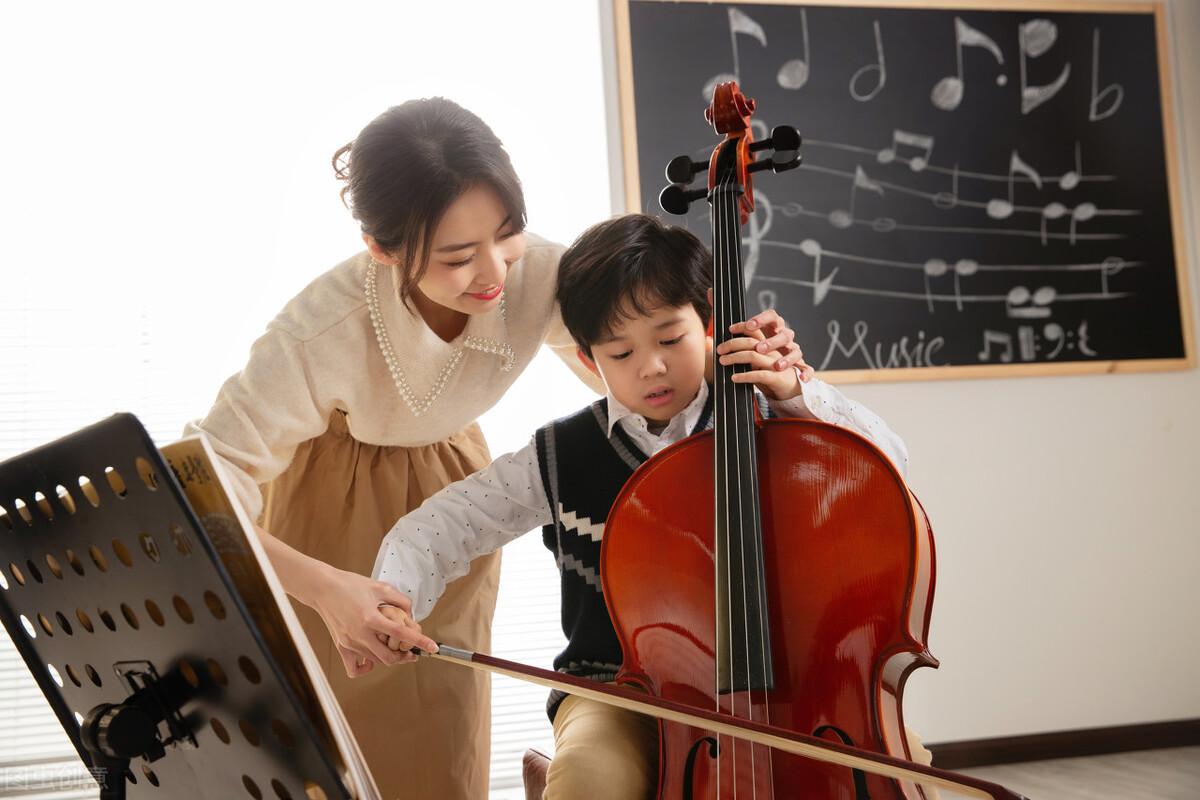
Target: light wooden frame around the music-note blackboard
631	177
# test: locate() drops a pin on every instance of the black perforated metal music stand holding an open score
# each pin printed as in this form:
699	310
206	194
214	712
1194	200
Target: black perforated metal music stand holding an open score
131	625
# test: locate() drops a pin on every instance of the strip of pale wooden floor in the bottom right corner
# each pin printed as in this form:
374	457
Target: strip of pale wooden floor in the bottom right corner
1144	775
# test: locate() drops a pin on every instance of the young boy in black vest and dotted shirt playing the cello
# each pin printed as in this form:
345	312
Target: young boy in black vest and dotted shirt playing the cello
634	294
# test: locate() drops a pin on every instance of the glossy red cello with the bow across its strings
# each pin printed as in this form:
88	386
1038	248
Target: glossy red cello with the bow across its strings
770	581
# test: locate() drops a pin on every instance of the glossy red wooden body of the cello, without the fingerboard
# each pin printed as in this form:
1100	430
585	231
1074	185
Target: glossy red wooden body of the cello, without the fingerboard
850	575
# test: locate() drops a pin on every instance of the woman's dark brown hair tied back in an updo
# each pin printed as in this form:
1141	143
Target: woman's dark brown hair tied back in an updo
410	165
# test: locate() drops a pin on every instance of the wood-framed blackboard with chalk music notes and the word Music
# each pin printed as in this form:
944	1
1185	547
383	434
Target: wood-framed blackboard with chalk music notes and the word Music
985	193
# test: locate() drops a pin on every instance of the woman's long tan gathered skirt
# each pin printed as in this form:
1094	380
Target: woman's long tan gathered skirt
424	727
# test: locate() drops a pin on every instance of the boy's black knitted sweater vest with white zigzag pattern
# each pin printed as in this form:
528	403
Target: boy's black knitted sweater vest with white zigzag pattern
583	471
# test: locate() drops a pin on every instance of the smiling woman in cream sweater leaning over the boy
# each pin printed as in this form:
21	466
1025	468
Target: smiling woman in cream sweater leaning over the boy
361	401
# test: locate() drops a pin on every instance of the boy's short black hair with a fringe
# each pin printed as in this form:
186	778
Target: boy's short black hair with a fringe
631	266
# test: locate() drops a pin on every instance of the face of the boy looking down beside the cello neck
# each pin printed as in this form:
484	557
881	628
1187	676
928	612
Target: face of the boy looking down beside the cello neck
653	364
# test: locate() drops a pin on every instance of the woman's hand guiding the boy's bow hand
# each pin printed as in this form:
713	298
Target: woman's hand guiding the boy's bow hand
350	605
